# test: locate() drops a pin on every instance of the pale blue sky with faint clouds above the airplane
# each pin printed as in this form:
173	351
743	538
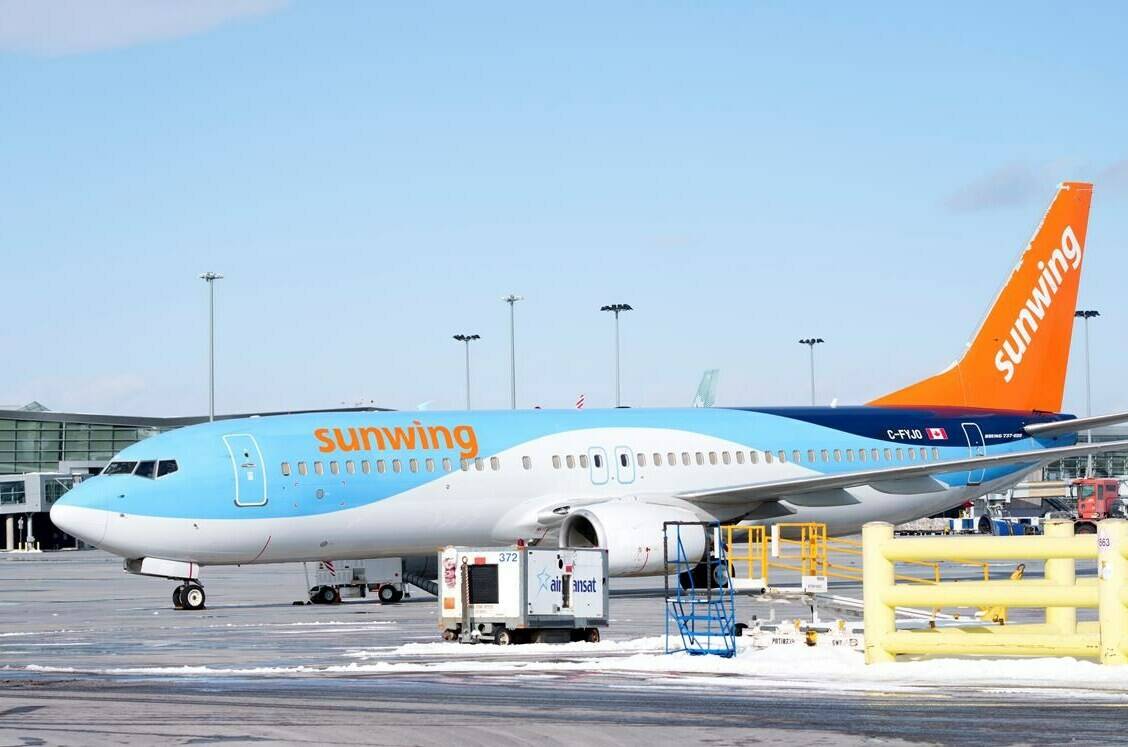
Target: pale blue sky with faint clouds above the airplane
373	179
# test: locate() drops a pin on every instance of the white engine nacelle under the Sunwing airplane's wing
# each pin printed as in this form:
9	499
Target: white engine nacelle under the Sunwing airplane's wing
632	533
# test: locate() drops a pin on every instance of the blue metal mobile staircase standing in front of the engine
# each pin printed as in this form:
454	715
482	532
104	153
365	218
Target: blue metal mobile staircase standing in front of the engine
702	605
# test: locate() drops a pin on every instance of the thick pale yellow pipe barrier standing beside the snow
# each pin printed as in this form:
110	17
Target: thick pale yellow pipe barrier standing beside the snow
1061	594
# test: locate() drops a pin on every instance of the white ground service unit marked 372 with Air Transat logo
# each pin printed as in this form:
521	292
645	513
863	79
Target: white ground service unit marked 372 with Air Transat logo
519	595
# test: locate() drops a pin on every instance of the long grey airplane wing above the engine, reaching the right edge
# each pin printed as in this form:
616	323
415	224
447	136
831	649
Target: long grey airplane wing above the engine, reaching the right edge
913	479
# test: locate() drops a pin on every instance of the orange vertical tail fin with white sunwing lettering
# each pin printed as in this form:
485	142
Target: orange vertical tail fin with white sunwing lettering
1018	357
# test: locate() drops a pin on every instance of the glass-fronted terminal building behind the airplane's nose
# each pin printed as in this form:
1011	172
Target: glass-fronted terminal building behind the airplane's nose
45	454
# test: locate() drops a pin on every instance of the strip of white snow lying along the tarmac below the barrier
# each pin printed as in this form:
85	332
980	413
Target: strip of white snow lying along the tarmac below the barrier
782	667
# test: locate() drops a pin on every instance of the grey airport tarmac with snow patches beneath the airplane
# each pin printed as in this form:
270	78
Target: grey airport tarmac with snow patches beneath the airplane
91	655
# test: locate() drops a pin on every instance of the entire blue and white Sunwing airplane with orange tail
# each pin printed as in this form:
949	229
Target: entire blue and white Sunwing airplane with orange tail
371	485
